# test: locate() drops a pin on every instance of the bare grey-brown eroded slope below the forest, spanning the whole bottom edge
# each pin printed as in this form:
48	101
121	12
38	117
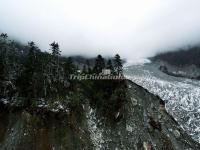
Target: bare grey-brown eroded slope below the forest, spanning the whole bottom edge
145	124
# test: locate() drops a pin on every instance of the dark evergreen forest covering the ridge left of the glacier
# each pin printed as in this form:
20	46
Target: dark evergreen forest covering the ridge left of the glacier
30	78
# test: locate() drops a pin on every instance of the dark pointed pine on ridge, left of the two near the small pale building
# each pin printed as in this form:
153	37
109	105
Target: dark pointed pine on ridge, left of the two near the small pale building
99	64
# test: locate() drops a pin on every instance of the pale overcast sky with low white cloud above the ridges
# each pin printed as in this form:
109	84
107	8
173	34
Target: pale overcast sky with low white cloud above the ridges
133	28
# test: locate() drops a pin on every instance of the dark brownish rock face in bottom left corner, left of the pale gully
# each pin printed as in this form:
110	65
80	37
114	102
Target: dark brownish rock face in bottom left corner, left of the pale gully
24	131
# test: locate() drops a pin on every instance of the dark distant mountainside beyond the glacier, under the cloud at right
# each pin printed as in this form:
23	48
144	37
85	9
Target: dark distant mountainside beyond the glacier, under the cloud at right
182	63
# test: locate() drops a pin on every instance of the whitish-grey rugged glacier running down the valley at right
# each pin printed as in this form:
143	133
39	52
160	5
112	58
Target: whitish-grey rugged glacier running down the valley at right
182	96
